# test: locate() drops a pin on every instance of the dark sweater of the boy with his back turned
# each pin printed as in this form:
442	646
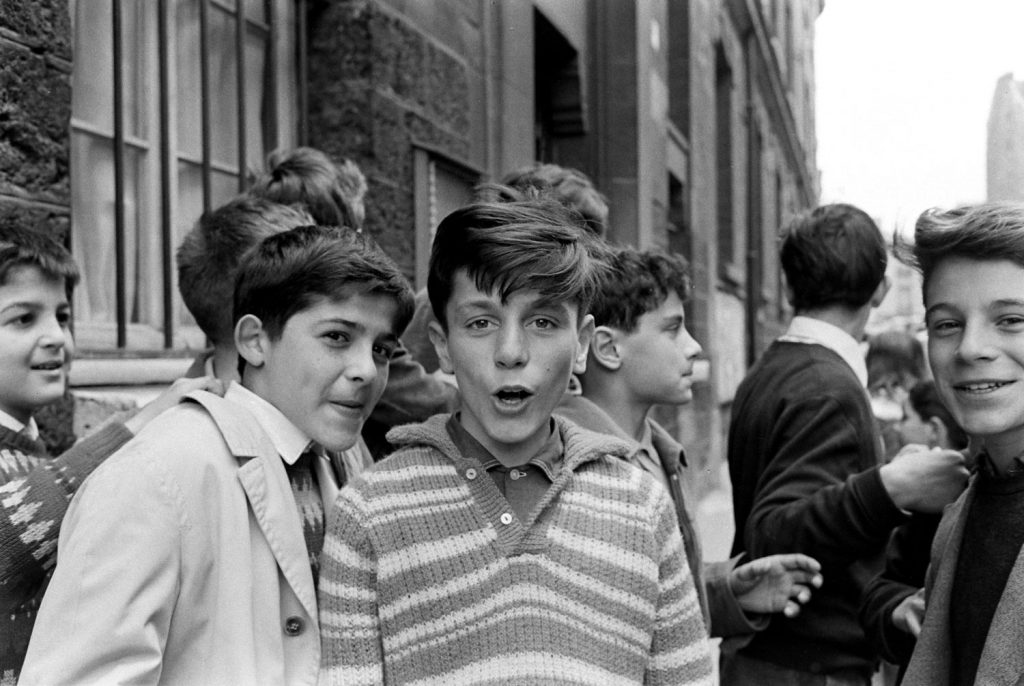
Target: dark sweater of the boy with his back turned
804	455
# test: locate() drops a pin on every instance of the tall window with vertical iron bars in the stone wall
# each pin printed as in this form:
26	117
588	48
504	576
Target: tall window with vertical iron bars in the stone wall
165	124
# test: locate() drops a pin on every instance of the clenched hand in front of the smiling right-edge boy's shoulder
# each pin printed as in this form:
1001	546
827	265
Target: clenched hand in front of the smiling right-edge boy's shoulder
923	480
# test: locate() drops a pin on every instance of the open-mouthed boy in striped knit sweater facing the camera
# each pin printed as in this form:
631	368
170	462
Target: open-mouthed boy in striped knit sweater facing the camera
501	544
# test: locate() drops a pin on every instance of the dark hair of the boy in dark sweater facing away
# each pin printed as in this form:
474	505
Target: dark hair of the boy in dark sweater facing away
833	255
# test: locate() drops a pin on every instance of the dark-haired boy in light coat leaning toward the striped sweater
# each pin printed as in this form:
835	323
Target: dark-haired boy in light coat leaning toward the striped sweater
199	565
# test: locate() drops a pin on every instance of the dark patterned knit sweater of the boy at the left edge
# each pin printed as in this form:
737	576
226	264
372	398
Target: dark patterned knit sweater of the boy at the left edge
35	492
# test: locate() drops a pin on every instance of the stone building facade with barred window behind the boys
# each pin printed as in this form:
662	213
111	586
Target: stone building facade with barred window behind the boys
696	118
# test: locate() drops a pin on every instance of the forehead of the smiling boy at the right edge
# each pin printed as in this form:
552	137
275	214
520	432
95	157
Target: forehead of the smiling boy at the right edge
962	281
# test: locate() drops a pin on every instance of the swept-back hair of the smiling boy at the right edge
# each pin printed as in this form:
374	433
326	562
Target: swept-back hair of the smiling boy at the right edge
983	232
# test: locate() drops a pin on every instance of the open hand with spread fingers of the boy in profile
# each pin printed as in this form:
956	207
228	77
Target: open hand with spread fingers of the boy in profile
776	584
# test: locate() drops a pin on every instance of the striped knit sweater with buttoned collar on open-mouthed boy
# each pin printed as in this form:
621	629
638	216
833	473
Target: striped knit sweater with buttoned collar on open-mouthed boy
429	578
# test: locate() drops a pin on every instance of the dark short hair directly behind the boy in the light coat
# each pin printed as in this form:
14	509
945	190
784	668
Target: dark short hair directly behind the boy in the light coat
209	255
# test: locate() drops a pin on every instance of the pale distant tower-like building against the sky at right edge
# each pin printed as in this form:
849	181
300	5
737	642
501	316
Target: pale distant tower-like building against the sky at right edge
1006	141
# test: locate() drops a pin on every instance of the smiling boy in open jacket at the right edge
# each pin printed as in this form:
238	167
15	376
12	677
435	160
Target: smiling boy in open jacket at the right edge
972	263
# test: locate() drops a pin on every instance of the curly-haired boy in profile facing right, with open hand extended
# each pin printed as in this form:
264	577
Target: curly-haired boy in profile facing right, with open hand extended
643	356
